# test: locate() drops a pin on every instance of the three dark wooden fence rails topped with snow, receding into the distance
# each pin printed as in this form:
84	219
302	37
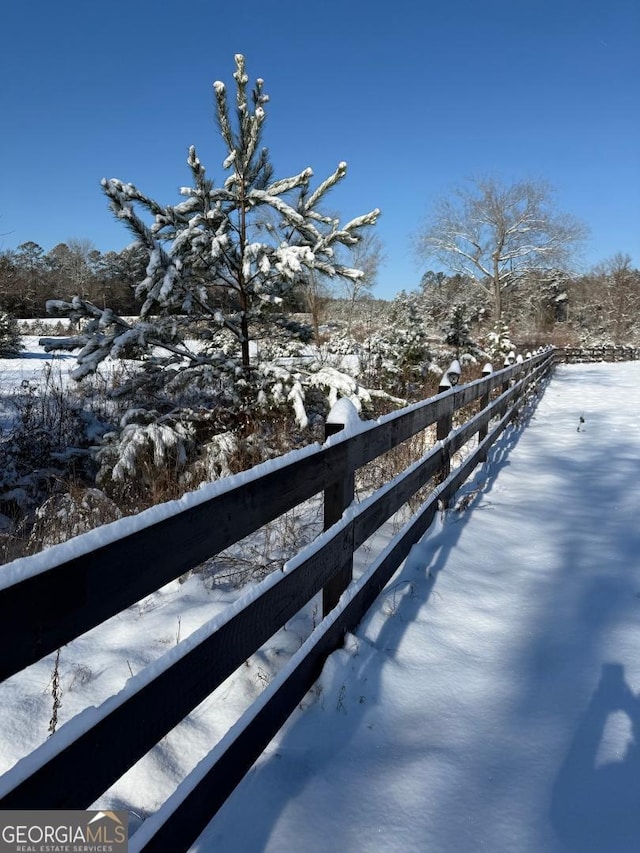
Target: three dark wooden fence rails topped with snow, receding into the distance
41	611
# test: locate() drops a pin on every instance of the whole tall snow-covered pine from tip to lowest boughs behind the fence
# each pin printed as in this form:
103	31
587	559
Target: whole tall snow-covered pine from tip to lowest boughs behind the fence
220	263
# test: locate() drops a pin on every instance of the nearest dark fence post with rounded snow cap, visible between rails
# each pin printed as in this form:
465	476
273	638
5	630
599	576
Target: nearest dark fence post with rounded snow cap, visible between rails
337	497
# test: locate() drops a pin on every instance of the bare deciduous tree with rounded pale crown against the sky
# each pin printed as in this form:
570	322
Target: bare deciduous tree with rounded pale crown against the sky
497	233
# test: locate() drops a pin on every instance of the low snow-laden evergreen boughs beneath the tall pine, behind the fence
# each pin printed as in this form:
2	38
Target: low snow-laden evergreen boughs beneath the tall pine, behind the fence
211	420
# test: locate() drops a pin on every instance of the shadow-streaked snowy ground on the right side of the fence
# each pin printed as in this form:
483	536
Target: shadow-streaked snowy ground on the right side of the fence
491	699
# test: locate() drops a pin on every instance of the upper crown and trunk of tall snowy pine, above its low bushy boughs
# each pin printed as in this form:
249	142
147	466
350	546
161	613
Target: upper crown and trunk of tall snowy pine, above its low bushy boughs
225	256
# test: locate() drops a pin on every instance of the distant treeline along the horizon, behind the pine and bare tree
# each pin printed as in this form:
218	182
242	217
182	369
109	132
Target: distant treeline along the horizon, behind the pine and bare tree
604	301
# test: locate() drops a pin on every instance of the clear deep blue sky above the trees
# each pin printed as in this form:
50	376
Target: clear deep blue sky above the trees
415	97
